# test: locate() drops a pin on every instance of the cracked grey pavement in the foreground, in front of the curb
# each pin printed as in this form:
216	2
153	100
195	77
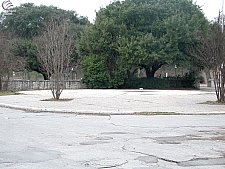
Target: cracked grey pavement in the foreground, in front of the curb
52	141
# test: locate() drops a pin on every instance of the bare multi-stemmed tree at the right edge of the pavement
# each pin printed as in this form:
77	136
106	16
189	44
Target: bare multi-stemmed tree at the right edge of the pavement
211	53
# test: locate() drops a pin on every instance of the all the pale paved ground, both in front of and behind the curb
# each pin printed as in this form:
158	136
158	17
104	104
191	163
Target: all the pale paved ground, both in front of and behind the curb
38	138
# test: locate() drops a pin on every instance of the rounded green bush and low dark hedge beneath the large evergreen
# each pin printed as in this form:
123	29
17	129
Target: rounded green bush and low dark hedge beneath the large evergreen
97	76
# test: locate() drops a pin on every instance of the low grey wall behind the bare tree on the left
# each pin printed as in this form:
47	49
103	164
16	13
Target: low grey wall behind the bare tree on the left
20	85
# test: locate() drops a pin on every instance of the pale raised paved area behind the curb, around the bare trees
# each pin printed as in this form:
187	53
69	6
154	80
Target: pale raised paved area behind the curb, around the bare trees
117	101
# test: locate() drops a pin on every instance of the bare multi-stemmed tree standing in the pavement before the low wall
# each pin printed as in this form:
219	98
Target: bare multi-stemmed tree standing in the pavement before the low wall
54	49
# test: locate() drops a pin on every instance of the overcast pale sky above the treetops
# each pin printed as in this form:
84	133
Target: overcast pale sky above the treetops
88	7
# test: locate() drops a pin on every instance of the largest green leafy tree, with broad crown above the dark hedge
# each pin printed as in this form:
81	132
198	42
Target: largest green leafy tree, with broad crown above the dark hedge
144	33
